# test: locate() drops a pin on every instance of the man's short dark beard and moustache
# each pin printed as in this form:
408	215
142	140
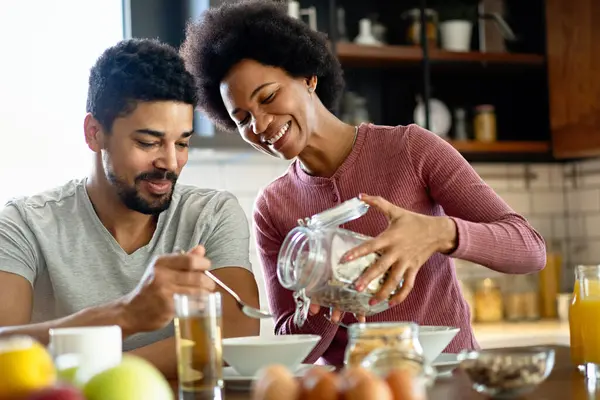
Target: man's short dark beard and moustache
132	199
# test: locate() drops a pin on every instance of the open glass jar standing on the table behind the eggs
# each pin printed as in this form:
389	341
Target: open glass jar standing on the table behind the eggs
363	338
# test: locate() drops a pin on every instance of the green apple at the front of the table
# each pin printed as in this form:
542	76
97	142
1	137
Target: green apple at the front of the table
133	379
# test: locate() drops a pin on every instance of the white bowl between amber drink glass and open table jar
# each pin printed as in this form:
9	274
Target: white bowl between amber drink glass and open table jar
247	355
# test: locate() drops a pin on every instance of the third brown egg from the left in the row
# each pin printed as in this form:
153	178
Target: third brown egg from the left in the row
360	384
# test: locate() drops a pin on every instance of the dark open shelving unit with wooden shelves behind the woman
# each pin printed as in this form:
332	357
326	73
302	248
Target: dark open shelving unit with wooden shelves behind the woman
393	76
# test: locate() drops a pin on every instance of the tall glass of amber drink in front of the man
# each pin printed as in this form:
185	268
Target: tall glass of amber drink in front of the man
198	326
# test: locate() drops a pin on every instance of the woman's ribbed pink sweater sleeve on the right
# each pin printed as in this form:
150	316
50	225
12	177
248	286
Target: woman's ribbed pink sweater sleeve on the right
490	233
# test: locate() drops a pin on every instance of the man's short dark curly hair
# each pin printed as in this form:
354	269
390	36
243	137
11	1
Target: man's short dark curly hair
136	70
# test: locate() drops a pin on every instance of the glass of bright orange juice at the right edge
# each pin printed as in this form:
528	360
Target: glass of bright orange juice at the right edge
585	321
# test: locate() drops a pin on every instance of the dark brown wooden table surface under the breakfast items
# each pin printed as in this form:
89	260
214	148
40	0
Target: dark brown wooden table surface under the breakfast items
565	382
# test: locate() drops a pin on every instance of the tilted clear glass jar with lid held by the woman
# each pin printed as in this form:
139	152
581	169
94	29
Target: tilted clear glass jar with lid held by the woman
309	263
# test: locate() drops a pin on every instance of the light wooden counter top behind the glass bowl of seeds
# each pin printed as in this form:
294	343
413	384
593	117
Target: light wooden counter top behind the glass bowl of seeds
510	334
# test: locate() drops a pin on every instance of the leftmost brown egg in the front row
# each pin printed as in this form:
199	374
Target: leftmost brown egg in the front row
275	382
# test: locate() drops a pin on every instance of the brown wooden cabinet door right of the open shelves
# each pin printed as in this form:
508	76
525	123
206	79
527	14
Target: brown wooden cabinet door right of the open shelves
573	37
